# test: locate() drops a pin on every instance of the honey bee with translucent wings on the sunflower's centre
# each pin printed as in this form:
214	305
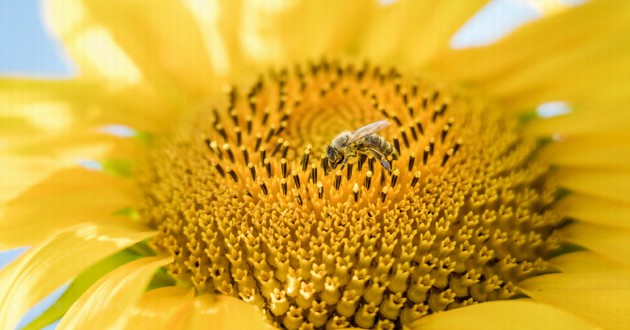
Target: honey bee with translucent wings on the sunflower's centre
348	144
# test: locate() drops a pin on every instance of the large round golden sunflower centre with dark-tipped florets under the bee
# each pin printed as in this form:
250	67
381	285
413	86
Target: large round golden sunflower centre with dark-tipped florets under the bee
248	204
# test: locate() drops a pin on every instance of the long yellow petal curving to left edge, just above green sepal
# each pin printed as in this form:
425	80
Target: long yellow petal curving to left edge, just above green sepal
49	265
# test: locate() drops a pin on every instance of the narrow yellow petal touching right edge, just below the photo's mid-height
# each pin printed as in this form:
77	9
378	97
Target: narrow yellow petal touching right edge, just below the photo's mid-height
608	184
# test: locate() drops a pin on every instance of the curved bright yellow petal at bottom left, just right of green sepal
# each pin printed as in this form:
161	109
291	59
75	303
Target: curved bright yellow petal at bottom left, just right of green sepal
109	303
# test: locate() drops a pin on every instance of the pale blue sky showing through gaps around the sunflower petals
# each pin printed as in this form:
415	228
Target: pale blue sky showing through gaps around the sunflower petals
27	49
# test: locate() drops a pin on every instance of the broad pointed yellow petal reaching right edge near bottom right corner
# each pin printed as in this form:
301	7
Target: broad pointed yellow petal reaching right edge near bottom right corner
601	298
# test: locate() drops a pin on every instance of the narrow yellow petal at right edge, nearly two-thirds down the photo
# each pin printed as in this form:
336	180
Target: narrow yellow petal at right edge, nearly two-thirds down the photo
596	210
